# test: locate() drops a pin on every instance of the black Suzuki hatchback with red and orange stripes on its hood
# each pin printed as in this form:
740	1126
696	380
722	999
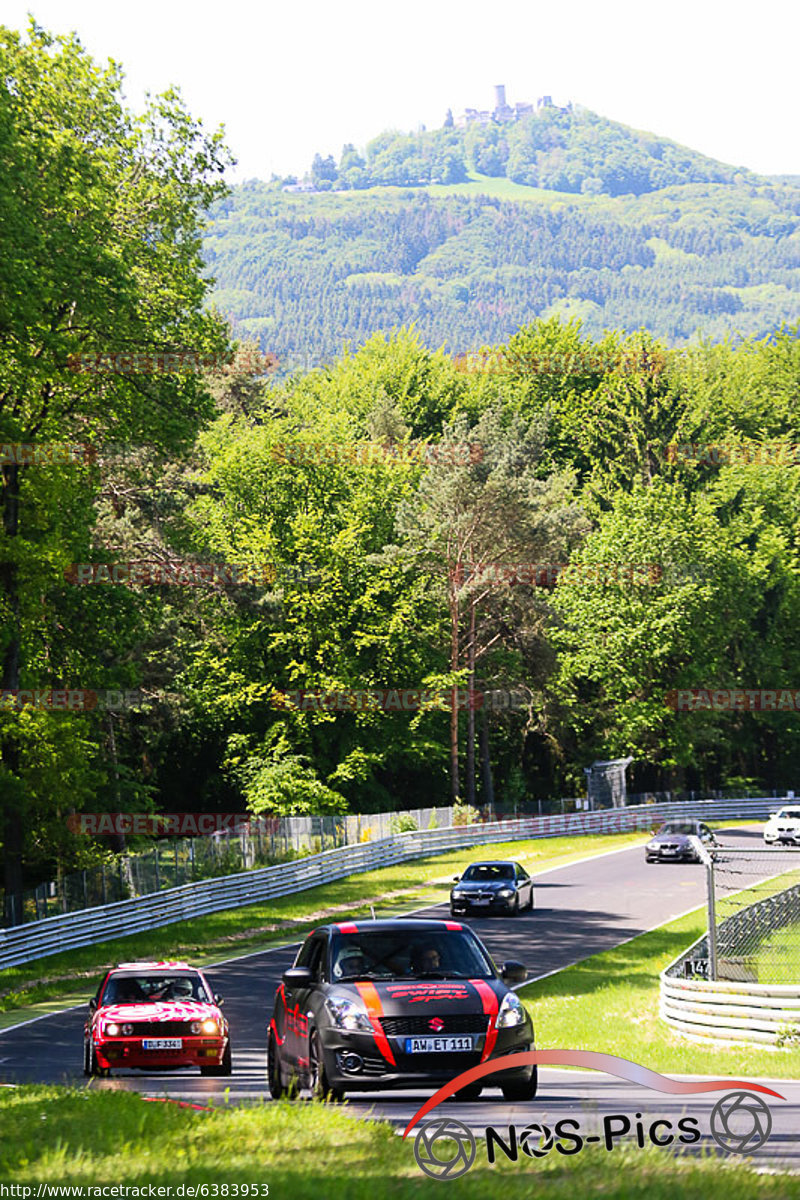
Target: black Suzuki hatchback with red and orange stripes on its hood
376	1005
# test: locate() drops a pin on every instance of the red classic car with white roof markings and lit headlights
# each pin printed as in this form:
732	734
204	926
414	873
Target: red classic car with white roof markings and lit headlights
157	1017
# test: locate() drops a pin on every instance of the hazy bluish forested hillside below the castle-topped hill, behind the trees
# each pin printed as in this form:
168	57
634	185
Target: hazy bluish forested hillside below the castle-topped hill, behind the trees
306	275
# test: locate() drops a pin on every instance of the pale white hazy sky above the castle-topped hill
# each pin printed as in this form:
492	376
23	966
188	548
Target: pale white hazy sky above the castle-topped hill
291	80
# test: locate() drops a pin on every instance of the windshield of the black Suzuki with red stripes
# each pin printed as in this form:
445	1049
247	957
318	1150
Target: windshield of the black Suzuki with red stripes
408	955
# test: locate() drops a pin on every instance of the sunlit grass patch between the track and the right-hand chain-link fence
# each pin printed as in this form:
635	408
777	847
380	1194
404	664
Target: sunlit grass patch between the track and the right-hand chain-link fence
610	1003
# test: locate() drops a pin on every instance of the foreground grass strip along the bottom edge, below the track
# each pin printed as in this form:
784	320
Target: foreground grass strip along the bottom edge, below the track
305	1151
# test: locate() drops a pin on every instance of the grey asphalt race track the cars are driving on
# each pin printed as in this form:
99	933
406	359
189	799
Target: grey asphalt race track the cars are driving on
581	910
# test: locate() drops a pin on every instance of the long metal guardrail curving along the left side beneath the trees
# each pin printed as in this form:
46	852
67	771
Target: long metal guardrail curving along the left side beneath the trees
92	926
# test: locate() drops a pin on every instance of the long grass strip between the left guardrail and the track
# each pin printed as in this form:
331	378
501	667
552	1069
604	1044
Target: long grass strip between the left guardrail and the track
49	985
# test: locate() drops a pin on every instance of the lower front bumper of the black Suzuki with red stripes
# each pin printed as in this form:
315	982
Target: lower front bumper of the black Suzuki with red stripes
376	1073
